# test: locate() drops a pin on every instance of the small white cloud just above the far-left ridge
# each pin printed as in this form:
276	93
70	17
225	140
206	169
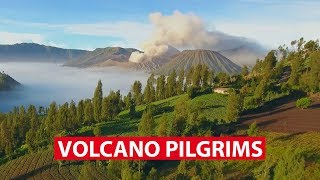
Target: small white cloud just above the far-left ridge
13	38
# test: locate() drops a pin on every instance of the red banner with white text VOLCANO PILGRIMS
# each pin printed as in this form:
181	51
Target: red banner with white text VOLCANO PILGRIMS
159	148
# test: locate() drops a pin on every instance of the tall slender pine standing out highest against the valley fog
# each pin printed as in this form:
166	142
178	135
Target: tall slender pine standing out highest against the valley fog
97	101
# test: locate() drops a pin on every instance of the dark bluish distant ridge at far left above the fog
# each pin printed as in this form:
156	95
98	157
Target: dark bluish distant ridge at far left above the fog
31	52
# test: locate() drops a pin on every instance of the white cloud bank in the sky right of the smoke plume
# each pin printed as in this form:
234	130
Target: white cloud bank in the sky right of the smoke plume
272	34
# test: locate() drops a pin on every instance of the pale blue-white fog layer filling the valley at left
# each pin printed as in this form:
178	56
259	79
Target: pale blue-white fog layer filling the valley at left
47	82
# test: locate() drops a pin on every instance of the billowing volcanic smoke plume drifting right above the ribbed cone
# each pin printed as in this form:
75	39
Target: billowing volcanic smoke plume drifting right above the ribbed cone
188	31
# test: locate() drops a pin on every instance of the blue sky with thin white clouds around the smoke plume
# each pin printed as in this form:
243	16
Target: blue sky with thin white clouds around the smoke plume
101	23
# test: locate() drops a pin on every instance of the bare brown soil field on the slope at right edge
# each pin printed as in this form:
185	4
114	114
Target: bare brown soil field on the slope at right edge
286	118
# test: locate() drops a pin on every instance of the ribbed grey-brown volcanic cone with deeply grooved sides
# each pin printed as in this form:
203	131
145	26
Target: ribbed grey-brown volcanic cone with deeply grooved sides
191	58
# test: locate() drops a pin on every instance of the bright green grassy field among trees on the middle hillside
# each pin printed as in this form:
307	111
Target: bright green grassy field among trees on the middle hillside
212	108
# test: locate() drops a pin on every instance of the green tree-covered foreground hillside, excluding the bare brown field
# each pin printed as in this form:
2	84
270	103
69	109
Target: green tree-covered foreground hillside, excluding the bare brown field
178	105
